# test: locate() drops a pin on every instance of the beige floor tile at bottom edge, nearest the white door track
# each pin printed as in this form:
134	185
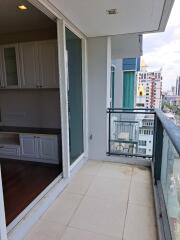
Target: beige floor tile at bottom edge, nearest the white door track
45	230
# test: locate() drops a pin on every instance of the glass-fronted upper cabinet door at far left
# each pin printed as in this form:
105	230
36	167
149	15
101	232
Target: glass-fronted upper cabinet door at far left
11	66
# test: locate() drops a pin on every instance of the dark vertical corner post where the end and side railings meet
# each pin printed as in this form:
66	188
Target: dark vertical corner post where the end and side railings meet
158	149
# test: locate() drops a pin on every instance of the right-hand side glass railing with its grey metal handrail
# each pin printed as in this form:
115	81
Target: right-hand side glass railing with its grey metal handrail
167	174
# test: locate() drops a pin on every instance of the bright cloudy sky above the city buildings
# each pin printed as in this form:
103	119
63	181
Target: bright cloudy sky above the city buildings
163	49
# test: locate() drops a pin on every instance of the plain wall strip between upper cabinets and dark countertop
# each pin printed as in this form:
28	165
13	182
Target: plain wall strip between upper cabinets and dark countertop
30	108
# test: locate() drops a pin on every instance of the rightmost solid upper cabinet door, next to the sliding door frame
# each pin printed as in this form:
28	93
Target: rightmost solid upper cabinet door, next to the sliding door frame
48	63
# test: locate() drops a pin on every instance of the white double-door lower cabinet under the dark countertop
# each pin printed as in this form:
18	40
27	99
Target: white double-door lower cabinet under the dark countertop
40	148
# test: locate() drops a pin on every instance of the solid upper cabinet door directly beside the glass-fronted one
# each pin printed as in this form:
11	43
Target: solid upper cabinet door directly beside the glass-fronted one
29	69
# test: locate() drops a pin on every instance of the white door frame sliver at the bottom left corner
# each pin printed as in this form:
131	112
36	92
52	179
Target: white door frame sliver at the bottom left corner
3	229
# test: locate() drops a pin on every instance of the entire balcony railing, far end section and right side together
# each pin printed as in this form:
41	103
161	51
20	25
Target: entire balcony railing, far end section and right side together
165	158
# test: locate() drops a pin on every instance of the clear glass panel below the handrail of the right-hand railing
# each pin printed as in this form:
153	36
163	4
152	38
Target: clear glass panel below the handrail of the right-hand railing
170	180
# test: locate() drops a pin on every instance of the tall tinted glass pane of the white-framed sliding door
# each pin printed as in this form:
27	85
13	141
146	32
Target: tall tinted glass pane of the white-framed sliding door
75	96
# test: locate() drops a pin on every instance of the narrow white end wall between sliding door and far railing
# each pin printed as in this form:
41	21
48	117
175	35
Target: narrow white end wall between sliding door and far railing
98	79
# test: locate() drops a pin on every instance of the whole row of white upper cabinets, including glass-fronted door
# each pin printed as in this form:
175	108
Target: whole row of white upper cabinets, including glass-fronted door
29	65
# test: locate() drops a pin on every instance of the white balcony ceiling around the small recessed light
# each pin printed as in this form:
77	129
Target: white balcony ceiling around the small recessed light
133	16
